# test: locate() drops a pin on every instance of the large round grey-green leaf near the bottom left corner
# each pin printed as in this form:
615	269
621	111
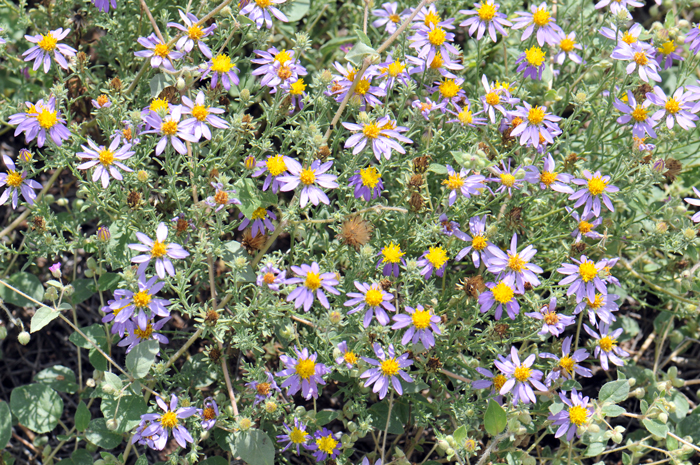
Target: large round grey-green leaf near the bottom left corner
36	406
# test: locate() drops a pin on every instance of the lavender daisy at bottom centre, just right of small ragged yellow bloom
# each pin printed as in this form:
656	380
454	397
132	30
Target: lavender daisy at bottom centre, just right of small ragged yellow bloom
389	368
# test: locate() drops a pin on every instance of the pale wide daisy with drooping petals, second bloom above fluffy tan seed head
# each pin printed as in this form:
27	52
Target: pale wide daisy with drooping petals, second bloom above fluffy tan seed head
380	134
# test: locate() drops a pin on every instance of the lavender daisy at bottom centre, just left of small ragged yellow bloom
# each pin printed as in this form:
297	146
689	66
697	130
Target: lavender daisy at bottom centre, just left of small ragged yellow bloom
304	373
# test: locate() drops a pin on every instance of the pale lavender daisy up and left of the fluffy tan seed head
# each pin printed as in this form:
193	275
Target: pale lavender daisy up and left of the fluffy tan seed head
309	178
